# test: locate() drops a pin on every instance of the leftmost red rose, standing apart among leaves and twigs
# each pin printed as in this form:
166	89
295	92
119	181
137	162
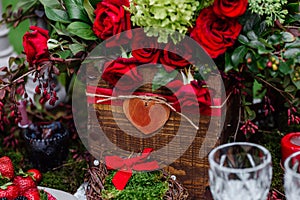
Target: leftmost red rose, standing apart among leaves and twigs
35	45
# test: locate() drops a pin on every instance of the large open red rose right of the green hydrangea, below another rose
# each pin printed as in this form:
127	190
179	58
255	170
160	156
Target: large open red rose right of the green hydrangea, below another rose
214	34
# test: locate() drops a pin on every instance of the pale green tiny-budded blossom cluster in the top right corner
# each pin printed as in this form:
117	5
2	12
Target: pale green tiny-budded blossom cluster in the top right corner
272	9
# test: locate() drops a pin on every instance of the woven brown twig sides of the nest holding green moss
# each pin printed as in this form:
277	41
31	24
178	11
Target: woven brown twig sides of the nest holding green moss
96	179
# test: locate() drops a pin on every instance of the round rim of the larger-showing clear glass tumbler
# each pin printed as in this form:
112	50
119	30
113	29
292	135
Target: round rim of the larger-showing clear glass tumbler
262	165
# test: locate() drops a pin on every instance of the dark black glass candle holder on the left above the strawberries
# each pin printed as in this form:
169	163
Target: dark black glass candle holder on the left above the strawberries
46	154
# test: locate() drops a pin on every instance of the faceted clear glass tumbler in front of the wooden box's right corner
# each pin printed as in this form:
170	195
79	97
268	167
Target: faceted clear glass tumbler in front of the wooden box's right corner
240	170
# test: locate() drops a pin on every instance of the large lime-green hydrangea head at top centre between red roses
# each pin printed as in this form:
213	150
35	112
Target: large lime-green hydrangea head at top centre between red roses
163	18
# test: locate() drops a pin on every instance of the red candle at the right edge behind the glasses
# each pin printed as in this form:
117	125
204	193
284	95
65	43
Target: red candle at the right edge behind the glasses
290	144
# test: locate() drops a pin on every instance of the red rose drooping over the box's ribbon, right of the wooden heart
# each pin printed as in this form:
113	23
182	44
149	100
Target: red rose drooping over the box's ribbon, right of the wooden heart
191	96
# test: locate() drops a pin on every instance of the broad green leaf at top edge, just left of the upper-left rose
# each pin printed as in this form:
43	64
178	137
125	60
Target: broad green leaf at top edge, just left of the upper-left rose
76	10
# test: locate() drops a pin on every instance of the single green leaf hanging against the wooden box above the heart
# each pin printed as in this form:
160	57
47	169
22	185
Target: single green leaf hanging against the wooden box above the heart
162	77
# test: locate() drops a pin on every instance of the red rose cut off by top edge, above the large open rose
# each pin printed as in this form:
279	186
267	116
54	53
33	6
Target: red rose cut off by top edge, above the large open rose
230	8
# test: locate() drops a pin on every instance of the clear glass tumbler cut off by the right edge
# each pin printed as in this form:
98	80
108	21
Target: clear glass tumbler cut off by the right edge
292	176
